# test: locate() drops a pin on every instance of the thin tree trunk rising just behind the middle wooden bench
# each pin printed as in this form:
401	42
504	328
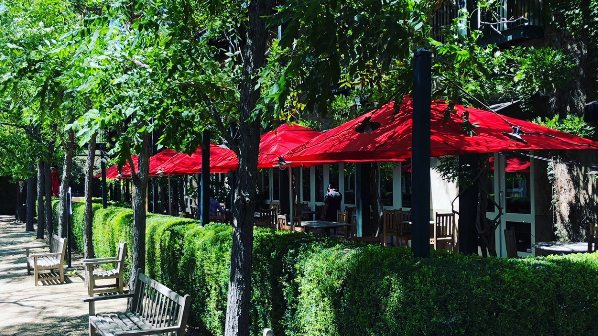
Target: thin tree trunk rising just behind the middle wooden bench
87	238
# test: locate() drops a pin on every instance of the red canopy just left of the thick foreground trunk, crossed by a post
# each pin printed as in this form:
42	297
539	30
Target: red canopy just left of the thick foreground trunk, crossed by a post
222	160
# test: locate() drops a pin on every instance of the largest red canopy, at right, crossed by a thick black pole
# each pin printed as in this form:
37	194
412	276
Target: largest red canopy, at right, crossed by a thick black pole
392	140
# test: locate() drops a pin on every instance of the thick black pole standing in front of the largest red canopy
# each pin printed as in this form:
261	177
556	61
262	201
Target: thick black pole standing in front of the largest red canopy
420	156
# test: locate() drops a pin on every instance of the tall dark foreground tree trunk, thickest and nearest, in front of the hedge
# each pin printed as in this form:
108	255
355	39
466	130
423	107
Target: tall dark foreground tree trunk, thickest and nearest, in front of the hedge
247	140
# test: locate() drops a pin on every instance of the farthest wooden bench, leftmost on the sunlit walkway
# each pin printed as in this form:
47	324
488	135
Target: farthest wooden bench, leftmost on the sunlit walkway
47	260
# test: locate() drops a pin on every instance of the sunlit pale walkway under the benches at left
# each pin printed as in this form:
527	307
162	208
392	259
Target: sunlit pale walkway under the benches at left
48	309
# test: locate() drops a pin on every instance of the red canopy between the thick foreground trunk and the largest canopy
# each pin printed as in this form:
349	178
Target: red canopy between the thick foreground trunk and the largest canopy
280	141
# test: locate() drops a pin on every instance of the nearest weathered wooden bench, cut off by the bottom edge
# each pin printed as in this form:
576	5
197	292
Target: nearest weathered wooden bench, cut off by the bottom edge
156	310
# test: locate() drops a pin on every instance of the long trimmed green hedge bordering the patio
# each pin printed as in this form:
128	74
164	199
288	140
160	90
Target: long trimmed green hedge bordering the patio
310	285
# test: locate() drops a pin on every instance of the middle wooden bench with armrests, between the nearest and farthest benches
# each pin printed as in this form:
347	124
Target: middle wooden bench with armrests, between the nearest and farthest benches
117	273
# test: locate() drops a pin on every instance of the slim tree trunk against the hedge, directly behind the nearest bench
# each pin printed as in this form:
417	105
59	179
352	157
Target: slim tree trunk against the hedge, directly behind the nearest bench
140	179
